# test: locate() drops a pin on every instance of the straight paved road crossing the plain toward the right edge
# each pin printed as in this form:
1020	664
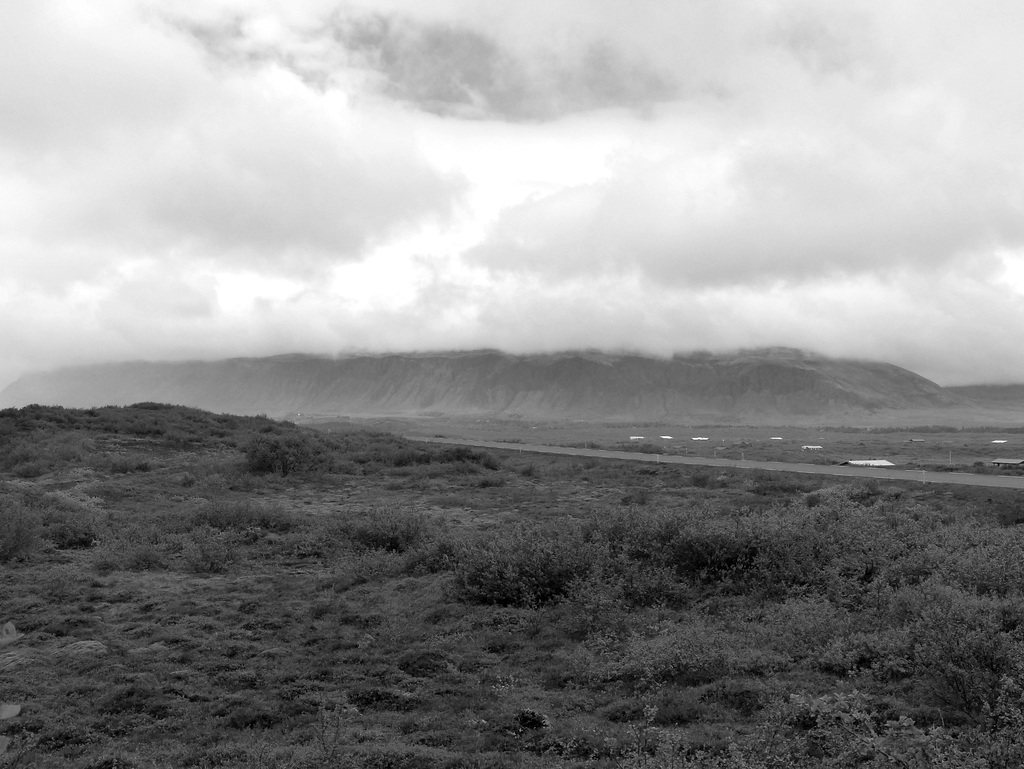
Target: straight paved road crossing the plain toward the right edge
923	477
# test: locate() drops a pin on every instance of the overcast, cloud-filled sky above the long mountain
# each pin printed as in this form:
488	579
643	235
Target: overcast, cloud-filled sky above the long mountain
219	179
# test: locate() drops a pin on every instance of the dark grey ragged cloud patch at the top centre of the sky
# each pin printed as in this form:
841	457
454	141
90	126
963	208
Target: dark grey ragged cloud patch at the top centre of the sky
451	70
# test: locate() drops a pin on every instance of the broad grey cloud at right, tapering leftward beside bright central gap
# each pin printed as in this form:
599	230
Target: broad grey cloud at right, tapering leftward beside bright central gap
763	215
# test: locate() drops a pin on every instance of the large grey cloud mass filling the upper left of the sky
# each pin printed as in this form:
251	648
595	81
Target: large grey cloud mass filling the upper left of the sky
123	142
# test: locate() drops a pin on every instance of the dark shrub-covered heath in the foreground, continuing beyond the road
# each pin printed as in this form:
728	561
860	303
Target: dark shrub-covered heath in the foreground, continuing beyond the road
195	590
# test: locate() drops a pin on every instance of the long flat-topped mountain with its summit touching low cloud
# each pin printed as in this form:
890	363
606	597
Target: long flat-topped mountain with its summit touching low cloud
765	386
